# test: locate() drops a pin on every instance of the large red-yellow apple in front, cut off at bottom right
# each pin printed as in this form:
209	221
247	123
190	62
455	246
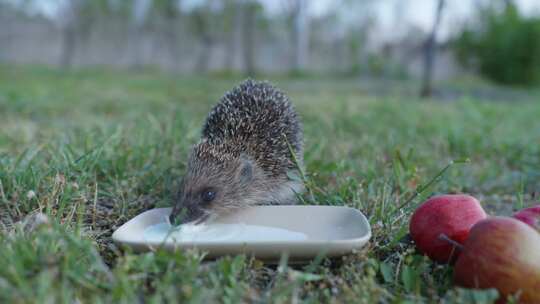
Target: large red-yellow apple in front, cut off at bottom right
501	253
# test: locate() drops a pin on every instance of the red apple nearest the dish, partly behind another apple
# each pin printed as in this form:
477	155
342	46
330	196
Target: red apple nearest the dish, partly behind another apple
450	216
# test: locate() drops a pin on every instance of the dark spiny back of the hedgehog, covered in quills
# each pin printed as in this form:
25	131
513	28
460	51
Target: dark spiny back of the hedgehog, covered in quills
259	120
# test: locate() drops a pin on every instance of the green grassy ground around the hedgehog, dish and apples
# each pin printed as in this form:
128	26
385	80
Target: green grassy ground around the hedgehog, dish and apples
91	149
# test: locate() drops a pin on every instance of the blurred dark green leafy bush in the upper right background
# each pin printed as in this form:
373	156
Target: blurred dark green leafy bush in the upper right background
503	45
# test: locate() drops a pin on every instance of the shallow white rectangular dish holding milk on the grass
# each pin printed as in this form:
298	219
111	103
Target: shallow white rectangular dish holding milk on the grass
331	231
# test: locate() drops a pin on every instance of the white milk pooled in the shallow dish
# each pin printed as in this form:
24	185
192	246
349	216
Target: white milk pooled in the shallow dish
233	233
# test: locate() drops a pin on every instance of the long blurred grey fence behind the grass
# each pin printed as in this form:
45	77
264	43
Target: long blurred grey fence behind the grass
236	36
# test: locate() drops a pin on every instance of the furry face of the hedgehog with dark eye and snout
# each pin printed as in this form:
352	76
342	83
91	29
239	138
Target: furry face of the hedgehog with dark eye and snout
214	186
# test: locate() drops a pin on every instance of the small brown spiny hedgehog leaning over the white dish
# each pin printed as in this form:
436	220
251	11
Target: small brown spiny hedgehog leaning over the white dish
250	150
